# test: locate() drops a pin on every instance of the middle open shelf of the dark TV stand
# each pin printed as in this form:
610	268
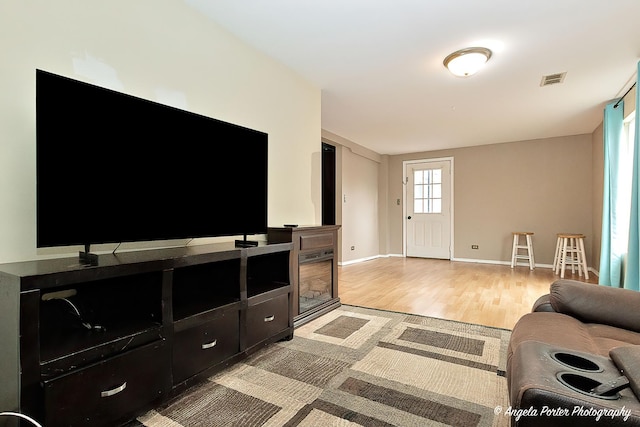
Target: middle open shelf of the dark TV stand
200	288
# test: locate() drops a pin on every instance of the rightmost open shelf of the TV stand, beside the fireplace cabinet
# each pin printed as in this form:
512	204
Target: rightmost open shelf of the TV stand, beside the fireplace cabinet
268	273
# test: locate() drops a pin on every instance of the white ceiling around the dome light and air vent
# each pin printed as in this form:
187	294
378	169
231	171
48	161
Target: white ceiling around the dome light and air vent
379	64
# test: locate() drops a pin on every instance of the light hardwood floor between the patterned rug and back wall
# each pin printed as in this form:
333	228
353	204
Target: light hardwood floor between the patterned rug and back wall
485	294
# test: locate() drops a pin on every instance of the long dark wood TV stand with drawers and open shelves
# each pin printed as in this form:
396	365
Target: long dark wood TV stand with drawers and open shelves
98	345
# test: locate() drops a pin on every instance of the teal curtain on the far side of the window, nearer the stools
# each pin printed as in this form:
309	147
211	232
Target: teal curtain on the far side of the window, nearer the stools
612	251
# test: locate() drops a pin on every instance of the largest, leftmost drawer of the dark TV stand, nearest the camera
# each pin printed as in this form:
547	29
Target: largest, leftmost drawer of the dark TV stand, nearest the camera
108	391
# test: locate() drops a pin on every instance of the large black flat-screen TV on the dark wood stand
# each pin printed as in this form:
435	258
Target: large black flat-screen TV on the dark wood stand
112	168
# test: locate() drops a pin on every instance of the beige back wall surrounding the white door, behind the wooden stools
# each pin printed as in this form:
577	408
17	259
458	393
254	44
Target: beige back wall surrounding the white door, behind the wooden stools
544	186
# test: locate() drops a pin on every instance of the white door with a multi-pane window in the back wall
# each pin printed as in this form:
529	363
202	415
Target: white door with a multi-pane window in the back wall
428	209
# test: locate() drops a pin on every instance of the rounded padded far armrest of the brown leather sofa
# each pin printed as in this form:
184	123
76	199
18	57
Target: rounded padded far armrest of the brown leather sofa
597	304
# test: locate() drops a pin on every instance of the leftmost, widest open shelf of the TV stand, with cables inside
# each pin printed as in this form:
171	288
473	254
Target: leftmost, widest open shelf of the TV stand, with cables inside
84	322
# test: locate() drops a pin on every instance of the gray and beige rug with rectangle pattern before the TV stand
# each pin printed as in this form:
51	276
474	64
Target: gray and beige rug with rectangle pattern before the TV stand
356	366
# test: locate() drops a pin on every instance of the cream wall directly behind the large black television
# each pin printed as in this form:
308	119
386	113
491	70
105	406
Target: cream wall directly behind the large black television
172	55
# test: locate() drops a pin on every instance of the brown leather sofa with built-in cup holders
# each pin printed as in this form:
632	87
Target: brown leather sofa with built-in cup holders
575	359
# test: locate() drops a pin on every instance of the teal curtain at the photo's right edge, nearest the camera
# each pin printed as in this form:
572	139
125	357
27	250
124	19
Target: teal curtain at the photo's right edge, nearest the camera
632	270
